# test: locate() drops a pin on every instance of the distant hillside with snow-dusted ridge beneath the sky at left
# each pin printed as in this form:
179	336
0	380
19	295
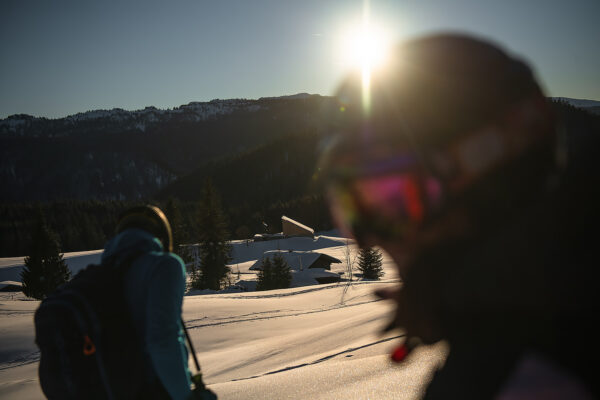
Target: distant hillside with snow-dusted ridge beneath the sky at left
127	155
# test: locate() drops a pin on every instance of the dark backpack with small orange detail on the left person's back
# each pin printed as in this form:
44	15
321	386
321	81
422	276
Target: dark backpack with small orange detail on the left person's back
89	348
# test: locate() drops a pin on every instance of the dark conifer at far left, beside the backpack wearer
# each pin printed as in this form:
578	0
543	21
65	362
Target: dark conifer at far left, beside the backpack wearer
45	269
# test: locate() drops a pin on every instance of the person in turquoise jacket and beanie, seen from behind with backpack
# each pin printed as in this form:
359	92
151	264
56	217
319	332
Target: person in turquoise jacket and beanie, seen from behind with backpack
115	331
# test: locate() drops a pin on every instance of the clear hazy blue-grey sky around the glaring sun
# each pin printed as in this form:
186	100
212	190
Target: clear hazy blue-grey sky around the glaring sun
64	57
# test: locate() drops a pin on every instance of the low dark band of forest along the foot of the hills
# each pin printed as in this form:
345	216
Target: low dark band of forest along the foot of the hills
87	225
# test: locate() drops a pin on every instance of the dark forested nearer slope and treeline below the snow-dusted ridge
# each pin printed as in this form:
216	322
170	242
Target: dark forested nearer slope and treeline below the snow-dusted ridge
256	187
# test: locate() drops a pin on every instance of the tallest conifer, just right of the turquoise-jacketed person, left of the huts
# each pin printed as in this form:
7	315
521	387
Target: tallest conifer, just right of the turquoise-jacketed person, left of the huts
213	239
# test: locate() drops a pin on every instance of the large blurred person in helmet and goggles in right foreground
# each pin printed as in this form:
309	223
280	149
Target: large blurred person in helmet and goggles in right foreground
450	159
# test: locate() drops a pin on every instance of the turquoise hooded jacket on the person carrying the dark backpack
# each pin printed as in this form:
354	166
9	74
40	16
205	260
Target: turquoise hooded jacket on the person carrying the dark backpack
154	289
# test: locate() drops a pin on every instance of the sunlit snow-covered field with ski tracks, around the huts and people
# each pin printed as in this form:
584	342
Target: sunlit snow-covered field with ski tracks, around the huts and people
306	342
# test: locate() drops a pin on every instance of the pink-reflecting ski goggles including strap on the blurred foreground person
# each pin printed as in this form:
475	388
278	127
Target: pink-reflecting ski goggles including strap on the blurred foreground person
393	196
